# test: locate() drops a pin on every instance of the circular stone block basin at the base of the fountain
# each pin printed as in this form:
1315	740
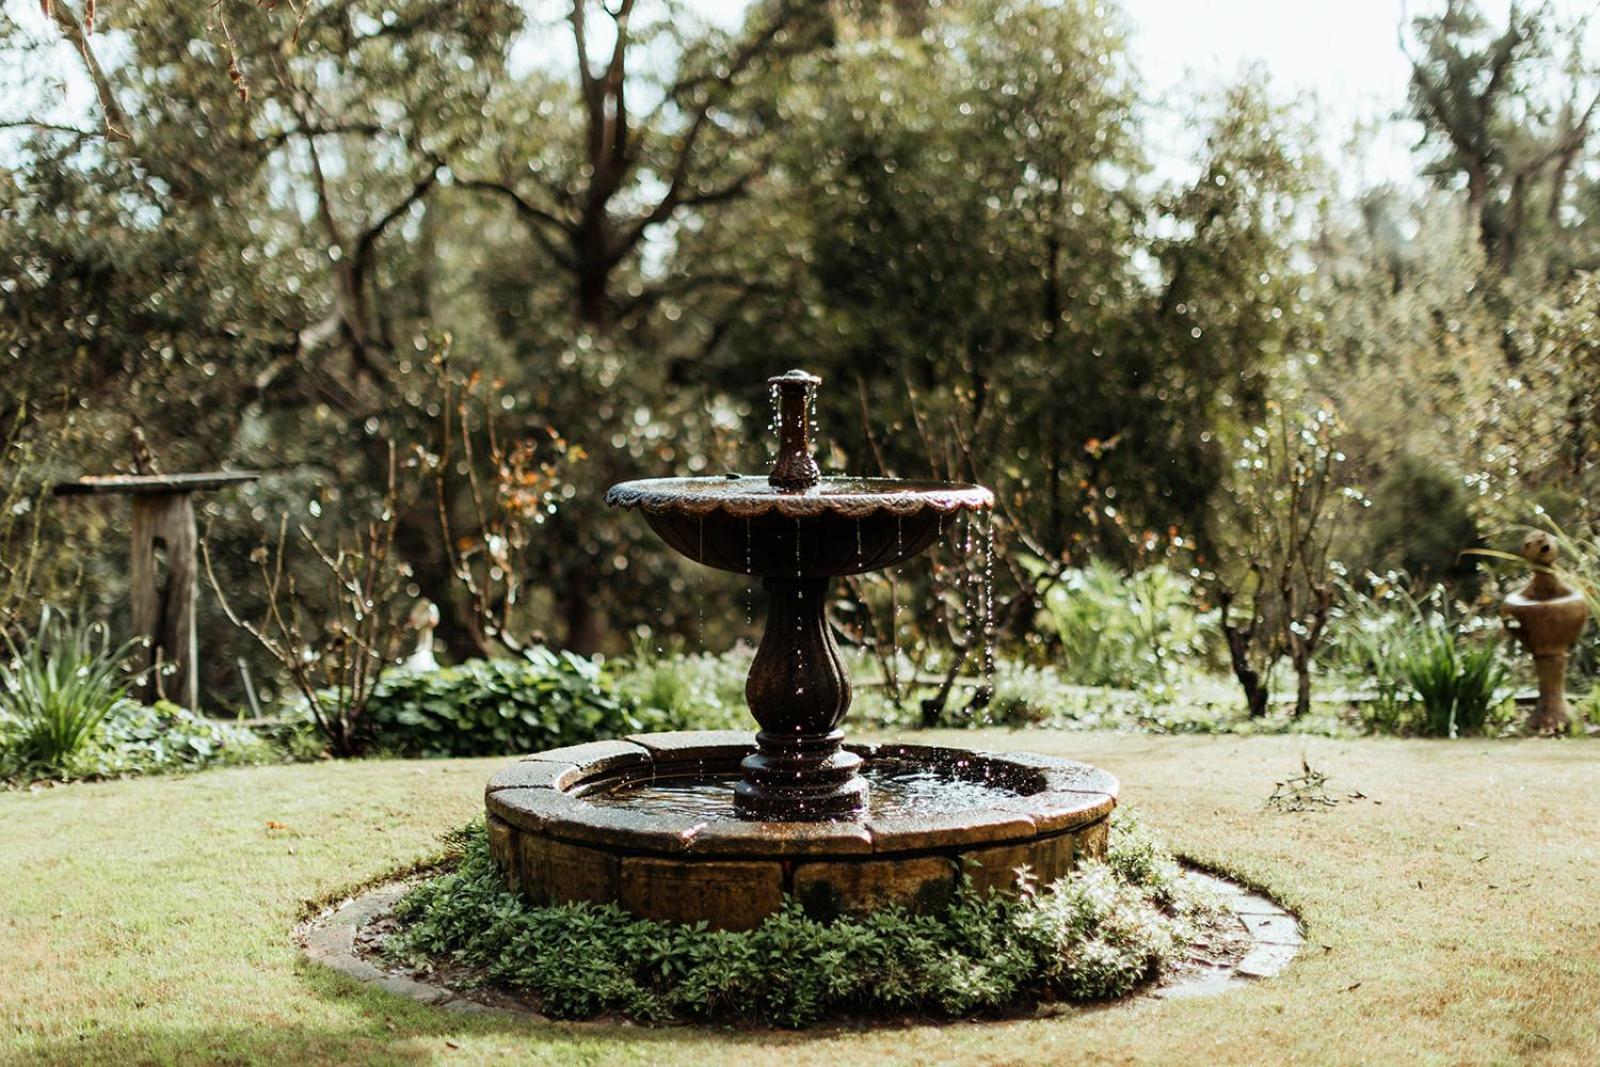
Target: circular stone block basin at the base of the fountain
647	823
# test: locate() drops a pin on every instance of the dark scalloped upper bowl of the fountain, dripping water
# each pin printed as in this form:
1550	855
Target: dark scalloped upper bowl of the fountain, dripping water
836	527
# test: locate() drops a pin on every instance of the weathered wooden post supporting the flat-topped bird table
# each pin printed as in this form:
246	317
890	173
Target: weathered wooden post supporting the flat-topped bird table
164	605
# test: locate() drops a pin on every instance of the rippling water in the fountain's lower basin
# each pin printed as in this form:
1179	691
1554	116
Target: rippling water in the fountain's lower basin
895	791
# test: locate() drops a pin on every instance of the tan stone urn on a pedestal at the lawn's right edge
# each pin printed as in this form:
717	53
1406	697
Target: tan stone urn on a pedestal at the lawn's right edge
1546	615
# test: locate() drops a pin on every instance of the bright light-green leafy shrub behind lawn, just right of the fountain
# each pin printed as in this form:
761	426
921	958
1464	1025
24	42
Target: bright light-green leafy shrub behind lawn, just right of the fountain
1124	631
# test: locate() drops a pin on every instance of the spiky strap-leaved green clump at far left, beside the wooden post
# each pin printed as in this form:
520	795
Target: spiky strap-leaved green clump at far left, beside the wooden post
58	689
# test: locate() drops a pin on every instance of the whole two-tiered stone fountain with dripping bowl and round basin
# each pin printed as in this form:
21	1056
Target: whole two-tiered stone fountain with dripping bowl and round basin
721	826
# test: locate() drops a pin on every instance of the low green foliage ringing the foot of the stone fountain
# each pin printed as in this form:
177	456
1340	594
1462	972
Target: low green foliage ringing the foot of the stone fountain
1095	935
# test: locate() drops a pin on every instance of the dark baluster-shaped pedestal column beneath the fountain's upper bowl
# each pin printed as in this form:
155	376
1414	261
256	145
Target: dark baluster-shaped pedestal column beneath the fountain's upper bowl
799	693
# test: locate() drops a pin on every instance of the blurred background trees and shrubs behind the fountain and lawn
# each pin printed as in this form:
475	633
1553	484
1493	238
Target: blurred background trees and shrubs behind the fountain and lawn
545	247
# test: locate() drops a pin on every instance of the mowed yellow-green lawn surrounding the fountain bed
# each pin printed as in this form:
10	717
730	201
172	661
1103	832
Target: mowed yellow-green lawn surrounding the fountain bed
1454	917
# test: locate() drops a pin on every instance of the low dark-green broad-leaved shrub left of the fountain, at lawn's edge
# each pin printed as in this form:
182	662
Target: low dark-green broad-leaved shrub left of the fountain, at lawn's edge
497	706
